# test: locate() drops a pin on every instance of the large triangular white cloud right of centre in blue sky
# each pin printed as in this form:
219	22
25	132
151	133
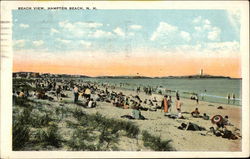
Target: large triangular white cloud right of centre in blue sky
164	29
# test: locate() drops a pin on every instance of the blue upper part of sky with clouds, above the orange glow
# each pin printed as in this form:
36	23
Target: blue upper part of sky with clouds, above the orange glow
126	30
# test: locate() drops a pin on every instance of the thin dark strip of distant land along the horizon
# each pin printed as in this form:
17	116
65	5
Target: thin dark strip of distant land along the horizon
44	75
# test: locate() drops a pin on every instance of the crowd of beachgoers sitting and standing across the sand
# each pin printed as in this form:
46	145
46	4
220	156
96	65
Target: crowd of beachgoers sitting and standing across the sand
90	94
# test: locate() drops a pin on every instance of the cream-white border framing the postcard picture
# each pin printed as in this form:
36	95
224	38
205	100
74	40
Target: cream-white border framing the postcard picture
6	77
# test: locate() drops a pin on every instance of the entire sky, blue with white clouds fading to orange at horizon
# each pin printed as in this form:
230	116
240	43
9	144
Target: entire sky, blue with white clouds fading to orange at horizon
127	42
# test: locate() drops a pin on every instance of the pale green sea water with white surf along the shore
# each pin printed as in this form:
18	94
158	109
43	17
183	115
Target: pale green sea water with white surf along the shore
211	90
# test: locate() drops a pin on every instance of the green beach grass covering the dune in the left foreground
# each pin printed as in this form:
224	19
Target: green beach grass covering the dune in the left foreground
38	126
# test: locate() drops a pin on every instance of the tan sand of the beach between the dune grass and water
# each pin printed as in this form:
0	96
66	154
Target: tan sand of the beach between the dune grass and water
160	125
